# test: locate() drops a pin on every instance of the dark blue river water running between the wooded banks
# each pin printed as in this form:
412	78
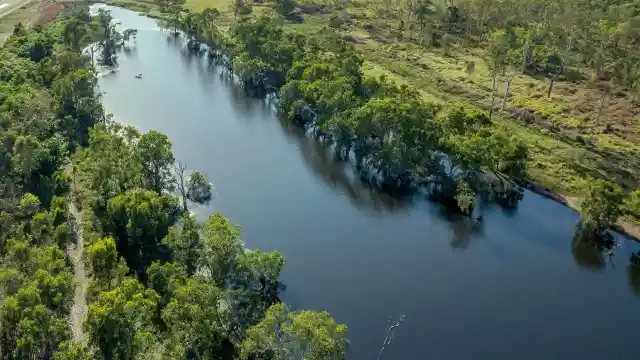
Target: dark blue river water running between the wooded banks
516	289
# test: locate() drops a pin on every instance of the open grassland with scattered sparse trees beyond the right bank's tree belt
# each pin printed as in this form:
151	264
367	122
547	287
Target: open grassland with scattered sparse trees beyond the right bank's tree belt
527	66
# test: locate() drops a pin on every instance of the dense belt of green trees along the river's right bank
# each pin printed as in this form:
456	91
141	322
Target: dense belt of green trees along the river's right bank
397	141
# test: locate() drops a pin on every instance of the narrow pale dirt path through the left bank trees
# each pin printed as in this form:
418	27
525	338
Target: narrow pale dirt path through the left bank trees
79	308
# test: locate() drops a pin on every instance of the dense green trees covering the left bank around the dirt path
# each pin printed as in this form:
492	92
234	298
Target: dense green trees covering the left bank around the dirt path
162	284
